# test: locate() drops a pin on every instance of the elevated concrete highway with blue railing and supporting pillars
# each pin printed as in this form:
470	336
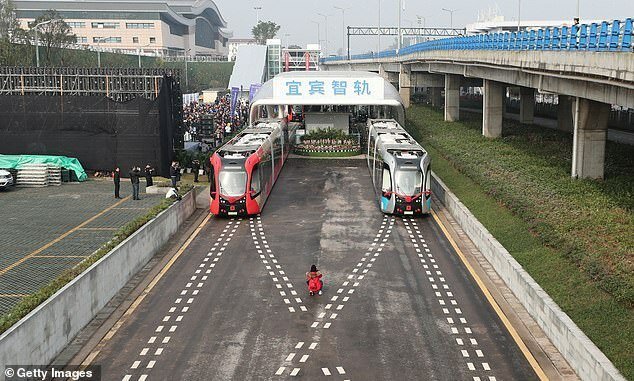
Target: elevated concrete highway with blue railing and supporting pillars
590	68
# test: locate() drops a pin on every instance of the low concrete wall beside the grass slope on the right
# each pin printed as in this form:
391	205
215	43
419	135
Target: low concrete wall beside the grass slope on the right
583	356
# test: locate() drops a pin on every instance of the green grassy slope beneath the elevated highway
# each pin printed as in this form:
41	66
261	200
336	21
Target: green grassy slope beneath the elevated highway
575	237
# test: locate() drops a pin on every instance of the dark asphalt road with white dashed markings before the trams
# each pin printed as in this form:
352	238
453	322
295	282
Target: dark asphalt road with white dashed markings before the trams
397	303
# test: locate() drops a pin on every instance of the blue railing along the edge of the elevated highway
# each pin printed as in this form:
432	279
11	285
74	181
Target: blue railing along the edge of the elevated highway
597	37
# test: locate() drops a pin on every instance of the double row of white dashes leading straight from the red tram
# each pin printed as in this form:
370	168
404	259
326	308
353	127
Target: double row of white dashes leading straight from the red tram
193	287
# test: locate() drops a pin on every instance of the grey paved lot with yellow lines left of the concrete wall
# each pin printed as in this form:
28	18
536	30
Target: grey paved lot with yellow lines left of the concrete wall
49	230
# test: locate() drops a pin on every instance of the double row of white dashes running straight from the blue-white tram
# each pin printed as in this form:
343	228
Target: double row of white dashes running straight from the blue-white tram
457	322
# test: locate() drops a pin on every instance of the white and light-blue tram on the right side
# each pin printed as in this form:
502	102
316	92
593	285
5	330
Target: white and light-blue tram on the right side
400	169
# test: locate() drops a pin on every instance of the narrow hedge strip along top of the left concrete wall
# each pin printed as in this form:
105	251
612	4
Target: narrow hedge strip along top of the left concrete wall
30	302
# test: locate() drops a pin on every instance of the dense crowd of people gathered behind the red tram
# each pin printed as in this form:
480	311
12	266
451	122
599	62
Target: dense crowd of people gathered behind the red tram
224	123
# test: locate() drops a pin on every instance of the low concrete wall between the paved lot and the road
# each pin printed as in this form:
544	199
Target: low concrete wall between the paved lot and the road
43	333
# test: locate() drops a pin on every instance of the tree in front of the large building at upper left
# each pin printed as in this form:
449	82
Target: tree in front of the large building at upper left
53	36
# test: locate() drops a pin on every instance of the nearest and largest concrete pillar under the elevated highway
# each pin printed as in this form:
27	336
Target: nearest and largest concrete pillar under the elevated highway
589	136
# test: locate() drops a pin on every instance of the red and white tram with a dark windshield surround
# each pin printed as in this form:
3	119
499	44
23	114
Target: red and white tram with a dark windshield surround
245	169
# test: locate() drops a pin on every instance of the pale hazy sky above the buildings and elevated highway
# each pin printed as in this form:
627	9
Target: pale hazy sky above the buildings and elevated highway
295	15
